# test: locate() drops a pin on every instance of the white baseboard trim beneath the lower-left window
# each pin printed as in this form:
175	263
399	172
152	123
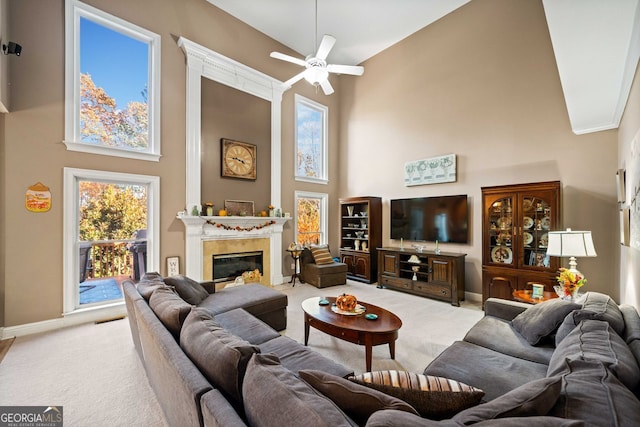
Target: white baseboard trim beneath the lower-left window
71	319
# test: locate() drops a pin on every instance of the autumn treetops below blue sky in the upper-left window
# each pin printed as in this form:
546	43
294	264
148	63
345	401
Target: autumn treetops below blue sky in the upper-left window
103	123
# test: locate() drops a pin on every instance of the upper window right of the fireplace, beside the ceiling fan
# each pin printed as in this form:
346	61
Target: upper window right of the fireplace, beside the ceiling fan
311	141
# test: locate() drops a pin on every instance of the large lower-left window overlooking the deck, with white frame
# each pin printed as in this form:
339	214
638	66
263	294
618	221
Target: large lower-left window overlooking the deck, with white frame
109	219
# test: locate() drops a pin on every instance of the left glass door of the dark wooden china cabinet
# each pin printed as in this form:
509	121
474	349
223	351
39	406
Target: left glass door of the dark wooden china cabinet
501	226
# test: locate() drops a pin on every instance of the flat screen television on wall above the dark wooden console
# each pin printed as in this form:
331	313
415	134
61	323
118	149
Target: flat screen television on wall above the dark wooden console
427	219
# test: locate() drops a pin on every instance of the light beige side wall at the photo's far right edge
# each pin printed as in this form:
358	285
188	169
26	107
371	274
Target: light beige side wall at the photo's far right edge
629	159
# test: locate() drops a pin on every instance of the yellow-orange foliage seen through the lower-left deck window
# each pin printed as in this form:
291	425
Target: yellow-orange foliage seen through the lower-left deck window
111	211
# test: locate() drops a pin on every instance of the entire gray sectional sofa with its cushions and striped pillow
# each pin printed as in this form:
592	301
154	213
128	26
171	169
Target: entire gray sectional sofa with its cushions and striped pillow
216	359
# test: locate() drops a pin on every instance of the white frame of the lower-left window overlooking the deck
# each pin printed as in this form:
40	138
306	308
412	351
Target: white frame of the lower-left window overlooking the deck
71	280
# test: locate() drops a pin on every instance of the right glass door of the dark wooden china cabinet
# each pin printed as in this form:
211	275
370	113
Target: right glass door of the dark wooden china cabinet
536	223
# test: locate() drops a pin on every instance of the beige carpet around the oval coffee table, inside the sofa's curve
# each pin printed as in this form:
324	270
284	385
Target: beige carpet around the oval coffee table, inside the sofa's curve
428	326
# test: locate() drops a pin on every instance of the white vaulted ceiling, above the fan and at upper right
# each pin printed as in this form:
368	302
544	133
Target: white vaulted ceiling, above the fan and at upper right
596	42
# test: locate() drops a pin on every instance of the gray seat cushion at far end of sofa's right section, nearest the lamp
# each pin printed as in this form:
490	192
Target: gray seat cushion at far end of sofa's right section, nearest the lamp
497	334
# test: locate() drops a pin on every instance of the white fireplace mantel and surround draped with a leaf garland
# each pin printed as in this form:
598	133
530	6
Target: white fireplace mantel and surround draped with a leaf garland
200	229
